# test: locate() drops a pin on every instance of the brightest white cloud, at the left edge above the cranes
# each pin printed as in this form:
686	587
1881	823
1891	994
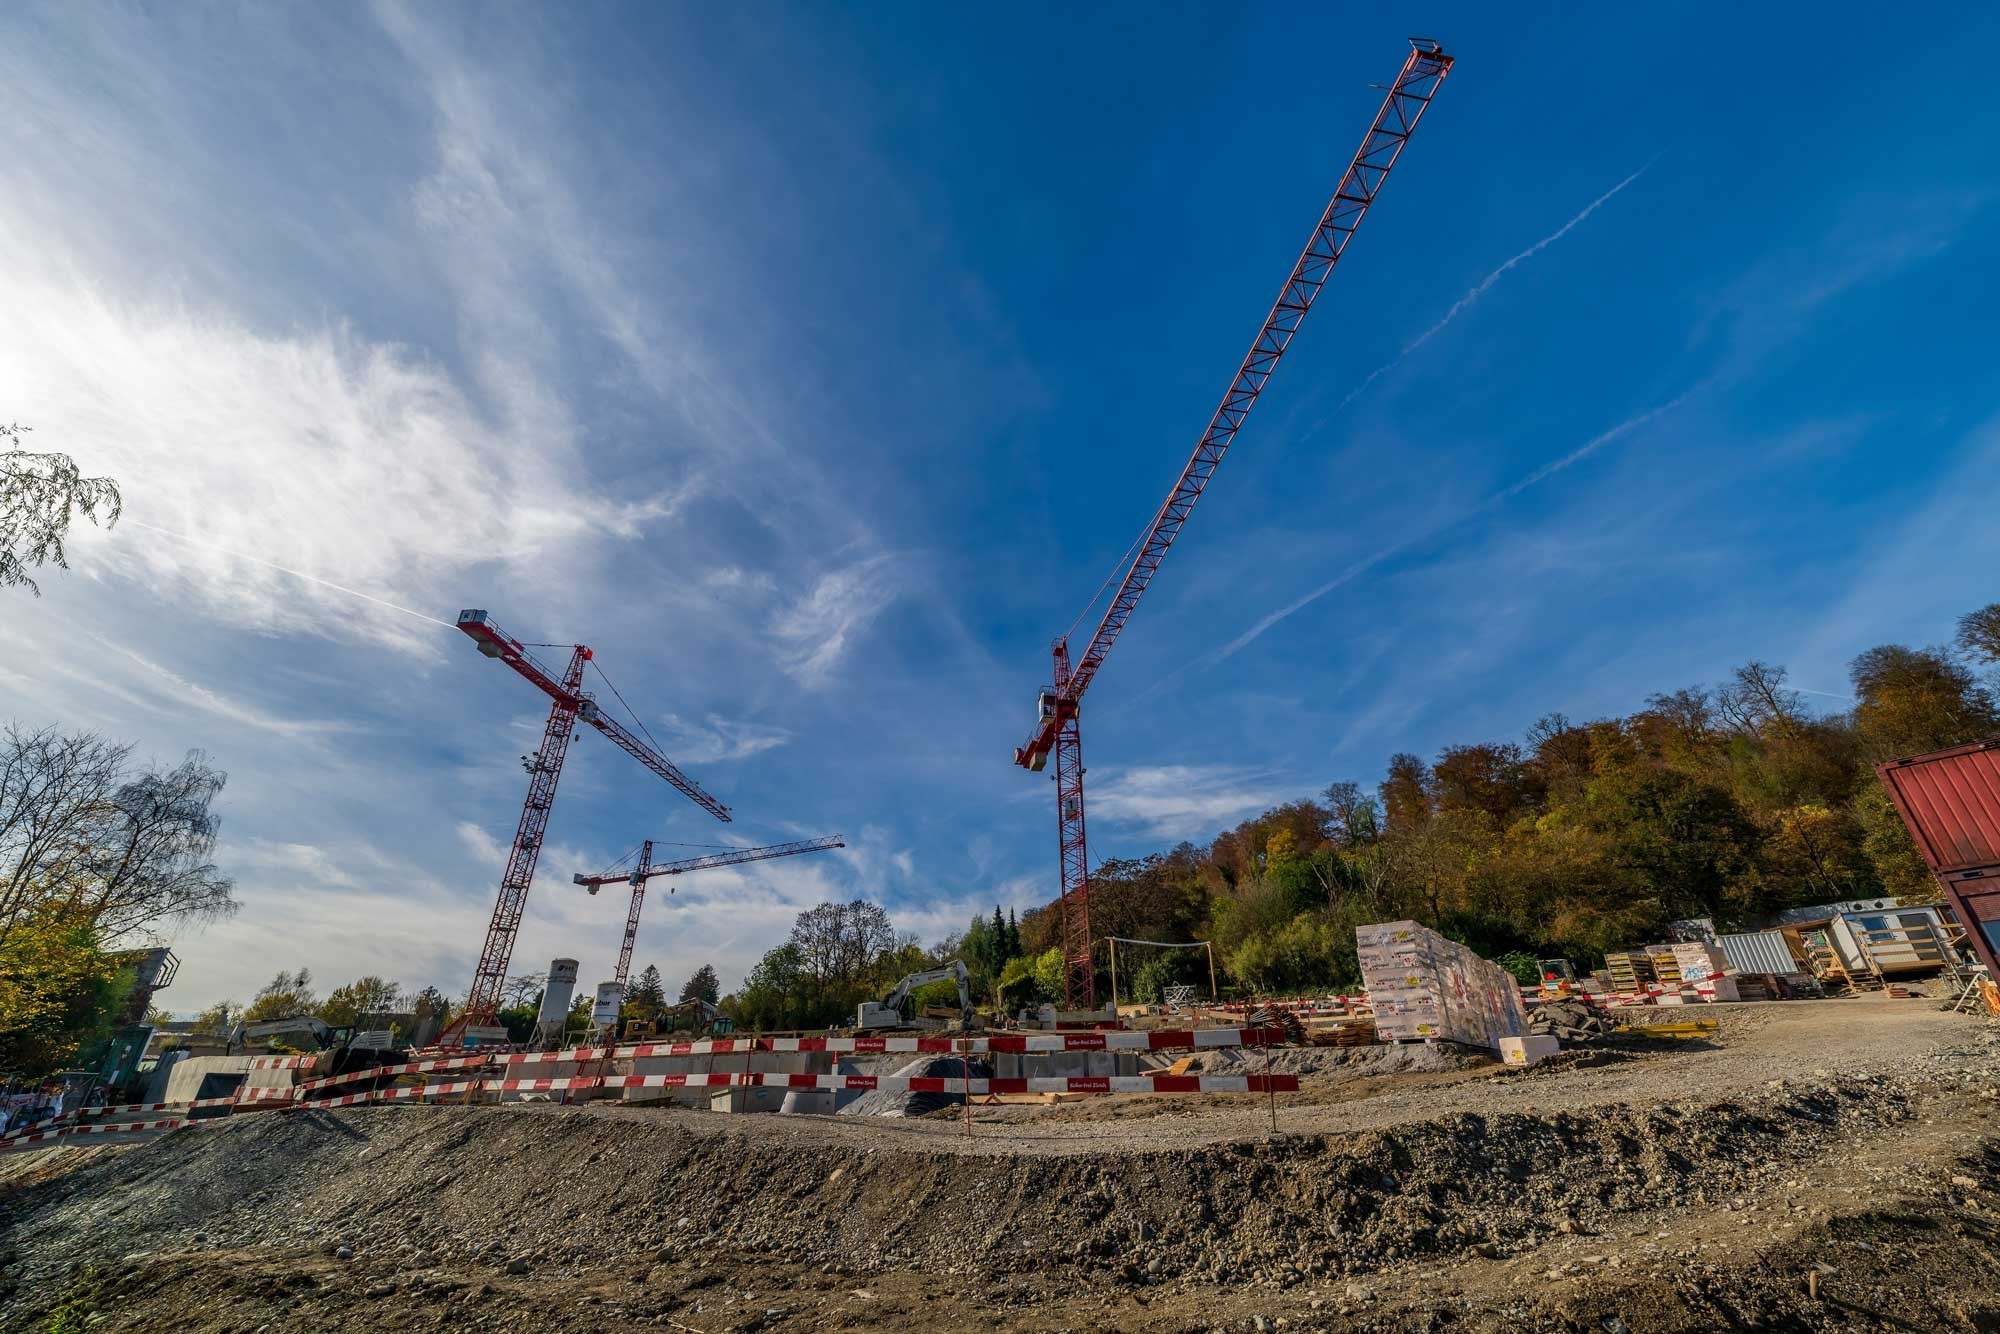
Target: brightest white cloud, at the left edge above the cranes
315	449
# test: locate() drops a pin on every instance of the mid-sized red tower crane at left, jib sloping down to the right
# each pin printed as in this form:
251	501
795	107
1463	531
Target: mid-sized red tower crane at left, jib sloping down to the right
569	703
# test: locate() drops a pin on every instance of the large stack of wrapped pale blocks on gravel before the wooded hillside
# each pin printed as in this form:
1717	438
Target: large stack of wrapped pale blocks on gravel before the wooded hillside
1427	987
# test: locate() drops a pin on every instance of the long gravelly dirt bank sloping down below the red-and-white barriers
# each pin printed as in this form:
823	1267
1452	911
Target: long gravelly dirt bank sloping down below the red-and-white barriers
567	1187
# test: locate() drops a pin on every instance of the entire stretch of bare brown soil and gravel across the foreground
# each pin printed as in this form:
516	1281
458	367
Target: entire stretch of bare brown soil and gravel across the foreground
1817	1167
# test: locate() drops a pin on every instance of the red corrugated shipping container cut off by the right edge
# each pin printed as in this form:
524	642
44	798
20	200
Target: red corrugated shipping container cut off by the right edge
1951	803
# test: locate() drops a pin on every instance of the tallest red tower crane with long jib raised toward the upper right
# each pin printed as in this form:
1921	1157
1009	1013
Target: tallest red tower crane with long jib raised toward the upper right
1057	731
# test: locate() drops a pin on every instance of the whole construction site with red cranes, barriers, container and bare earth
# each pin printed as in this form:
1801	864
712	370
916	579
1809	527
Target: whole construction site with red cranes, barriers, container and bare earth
1777	1127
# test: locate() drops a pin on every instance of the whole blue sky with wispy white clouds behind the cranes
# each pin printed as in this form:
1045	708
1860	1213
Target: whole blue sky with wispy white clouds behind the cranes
817	363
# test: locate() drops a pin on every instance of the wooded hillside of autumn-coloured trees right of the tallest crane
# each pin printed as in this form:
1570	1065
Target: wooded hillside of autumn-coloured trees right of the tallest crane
1727	803
